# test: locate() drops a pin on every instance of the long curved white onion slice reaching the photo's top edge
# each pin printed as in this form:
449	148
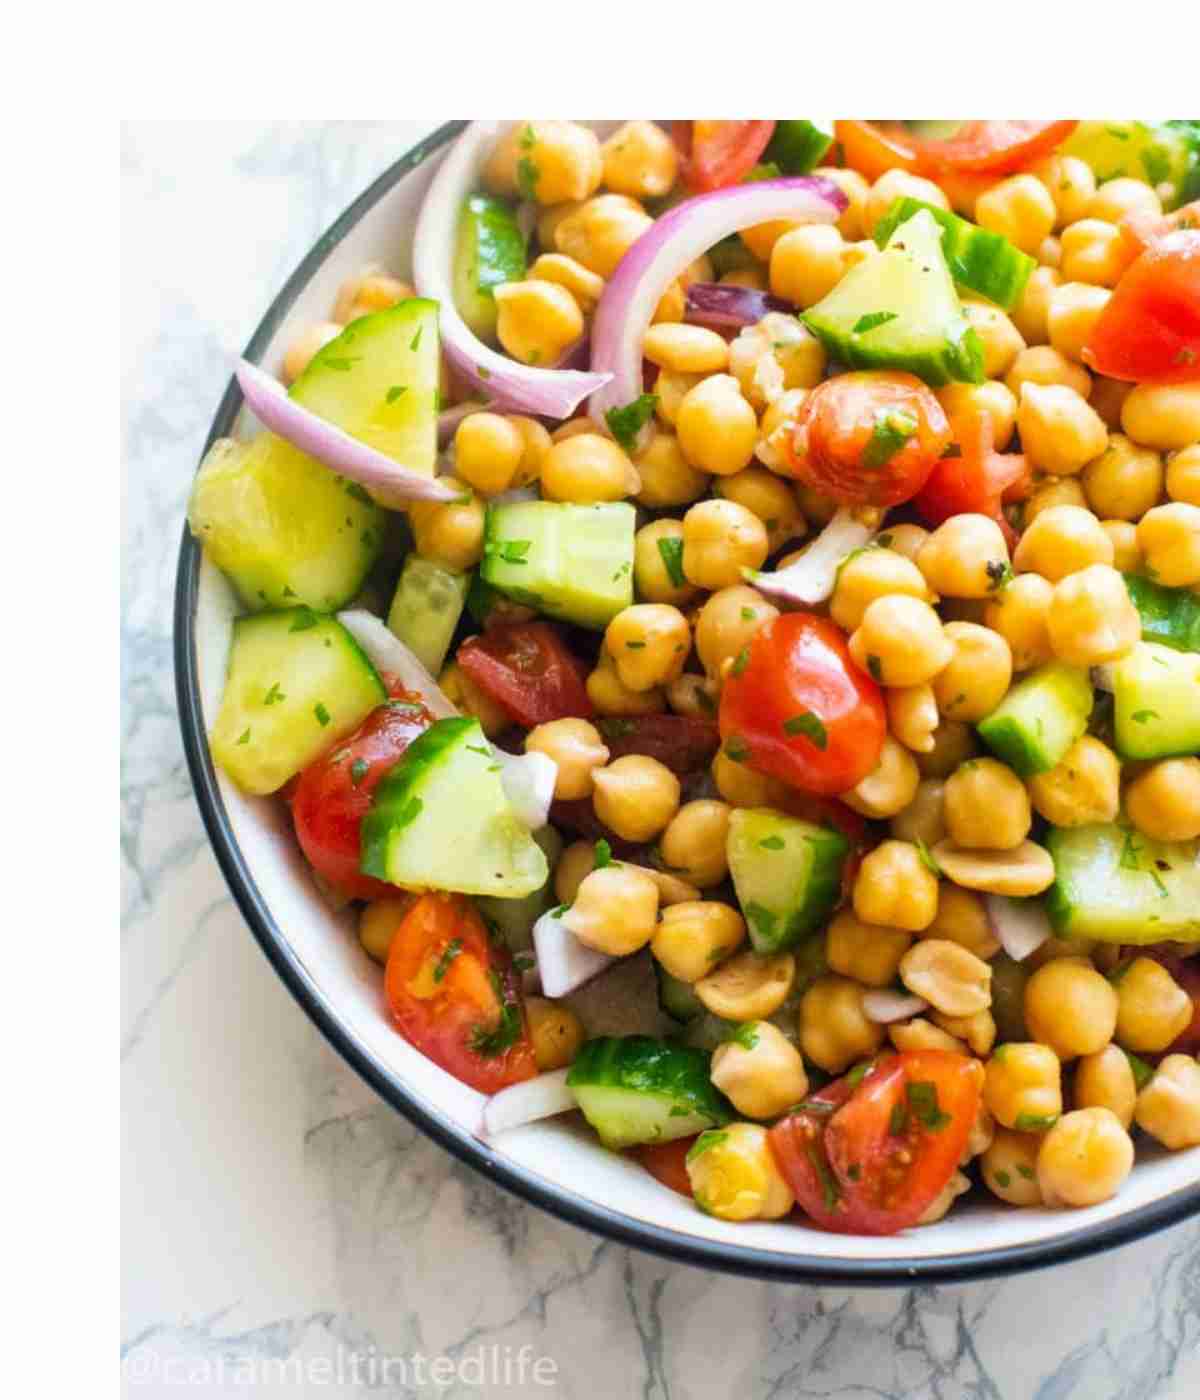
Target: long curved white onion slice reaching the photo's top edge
552	394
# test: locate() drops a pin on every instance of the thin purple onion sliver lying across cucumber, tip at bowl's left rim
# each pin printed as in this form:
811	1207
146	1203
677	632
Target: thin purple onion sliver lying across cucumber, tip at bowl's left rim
387	479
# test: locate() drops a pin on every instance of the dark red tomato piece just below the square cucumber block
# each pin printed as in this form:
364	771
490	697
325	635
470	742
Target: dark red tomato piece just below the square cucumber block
529	671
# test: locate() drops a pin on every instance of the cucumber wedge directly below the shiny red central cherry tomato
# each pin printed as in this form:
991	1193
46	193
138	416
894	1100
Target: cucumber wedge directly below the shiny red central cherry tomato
788	874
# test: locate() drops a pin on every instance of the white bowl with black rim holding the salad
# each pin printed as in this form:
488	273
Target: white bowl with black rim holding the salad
557	1165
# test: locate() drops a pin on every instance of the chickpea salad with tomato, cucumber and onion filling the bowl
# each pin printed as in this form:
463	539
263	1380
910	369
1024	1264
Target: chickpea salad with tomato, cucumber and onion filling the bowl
762	558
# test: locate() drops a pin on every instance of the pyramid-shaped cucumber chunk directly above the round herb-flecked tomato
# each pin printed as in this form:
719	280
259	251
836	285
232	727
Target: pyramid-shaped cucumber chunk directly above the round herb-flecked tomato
900	311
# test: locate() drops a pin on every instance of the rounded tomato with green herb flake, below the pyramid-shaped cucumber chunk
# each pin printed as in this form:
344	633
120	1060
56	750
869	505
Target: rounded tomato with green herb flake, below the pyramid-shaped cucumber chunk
869	439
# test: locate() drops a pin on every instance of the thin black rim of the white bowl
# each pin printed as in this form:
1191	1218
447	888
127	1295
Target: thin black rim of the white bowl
736	1259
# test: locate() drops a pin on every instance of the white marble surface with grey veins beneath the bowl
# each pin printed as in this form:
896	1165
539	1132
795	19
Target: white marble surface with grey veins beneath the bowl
285	1231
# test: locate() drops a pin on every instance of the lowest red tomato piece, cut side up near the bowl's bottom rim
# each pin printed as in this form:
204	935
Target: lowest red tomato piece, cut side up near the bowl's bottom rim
870	1156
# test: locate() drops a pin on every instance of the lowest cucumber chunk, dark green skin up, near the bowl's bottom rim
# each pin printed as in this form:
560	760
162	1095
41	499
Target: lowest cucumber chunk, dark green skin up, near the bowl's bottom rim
638	1090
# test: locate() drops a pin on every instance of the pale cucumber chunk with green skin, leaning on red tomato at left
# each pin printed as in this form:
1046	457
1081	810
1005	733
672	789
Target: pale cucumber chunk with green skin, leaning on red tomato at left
440	821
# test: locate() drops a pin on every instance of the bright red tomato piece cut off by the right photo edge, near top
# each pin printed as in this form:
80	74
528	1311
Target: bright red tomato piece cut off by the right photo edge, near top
1150	328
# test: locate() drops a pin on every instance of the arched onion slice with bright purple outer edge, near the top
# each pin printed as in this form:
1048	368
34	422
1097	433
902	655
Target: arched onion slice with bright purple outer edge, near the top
667	248
